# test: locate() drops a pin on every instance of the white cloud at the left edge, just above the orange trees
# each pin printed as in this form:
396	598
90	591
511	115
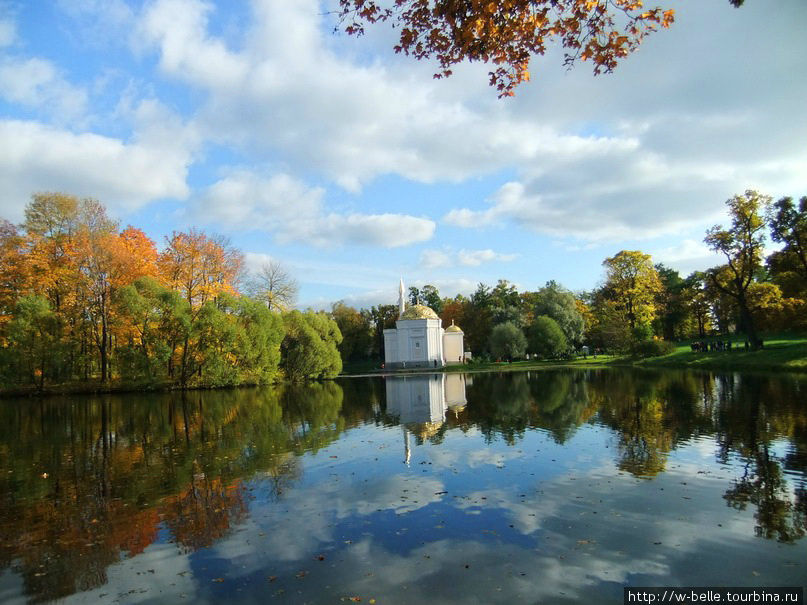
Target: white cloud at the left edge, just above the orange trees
124	176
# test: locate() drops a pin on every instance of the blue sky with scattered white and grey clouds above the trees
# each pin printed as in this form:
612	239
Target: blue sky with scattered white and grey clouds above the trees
352	166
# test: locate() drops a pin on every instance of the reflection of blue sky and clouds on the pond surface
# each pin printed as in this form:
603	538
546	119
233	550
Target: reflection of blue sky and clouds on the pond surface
468	521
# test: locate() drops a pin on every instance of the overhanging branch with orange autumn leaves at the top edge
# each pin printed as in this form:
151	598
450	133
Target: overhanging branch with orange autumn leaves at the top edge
508	34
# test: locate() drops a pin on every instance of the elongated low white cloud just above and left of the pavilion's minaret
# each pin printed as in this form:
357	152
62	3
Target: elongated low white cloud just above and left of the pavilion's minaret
286	207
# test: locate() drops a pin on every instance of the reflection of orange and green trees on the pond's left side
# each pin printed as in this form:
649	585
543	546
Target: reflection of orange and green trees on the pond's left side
85	482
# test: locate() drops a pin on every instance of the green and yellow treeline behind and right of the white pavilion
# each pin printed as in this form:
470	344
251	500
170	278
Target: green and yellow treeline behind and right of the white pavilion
640	308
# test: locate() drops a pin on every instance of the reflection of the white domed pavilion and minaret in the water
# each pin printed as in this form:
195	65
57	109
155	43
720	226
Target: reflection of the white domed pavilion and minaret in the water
420	402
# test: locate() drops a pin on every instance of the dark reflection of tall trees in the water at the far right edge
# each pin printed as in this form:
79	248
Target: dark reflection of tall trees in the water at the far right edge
754	414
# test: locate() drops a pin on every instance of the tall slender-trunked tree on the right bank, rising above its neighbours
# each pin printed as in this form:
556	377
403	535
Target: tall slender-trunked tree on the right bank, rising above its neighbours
741	244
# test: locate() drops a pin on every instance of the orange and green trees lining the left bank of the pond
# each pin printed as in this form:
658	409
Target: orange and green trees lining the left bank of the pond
82	300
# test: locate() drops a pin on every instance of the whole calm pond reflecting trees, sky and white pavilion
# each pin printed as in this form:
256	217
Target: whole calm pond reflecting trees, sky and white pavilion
527	487
